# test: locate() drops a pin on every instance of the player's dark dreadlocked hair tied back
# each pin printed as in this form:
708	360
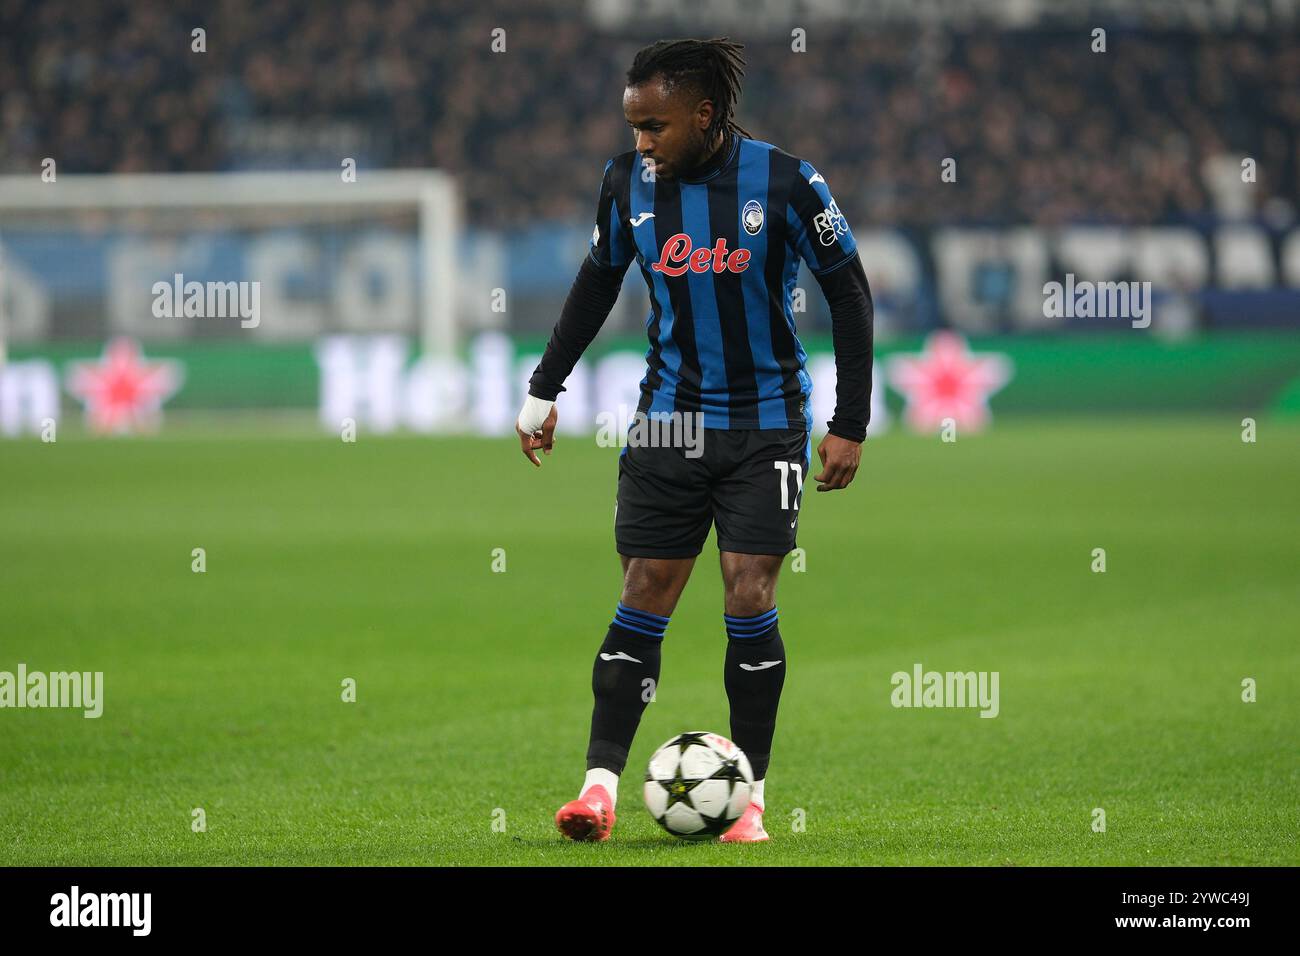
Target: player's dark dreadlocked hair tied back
709	68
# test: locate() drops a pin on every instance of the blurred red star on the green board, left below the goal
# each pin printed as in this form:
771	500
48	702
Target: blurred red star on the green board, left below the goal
123	392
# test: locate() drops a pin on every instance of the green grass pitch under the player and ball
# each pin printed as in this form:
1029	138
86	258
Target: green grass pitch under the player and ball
374	561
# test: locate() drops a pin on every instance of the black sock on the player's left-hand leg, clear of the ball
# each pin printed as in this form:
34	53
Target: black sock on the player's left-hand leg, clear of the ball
623	681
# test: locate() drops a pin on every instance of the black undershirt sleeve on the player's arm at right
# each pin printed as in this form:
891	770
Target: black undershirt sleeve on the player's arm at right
852	318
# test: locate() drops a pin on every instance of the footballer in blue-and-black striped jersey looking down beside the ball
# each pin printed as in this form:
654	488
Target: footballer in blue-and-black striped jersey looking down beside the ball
717	222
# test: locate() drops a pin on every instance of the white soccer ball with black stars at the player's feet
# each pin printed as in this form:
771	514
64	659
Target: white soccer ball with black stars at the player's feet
699	785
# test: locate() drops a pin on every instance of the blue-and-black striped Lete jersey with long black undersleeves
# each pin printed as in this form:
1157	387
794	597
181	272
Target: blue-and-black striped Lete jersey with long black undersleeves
720	256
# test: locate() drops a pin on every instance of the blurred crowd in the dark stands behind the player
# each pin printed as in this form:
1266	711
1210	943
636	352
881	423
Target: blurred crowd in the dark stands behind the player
1043	129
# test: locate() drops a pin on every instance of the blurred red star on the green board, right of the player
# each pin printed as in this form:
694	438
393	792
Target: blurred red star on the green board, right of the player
947	380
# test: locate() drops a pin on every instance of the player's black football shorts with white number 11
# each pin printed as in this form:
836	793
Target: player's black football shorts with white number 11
751	482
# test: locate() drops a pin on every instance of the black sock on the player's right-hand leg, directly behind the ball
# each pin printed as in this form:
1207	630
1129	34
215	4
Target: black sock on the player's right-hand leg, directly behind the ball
755	676
